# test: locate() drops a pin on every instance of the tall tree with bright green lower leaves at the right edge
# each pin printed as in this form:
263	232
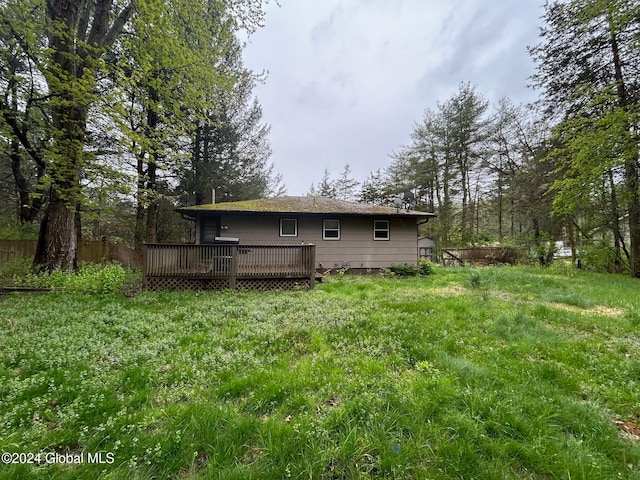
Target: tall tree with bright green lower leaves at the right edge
587	64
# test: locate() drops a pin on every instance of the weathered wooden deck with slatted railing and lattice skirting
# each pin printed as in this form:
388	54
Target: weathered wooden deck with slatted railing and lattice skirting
180	266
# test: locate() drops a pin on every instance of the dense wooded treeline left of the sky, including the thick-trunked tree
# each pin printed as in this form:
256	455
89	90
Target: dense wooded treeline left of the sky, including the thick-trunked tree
112	112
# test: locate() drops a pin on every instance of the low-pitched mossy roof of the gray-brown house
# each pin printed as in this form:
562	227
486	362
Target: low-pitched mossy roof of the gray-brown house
300	205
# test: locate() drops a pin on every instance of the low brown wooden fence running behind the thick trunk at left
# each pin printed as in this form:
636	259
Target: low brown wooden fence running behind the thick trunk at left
90	251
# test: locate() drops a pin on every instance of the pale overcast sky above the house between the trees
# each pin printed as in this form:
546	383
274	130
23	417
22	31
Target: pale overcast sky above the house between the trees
347	79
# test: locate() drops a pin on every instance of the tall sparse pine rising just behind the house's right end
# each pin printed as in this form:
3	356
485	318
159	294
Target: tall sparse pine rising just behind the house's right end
443	166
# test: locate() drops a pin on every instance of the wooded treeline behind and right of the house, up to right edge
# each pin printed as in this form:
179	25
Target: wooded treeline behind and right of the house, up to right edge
565	168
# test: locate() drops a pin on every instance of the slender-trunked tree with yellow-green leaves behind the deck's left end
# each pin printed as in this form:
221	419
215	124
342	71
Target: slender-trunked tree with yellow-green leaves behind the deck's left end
164	75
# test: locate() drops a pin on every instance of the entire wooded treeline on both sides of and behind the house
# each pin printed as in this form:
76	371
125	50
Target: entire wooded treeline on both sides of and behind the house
112	112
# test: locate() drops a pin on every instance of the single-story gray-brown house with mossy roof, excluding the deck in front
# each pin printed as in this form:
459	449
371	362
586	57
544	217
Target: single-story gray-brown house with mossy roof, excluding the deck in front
347	235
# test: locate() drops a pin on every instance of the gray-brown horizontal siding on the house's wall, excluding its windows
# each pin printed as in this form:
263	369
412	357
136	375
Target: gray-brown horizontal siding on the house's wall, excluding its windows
356	246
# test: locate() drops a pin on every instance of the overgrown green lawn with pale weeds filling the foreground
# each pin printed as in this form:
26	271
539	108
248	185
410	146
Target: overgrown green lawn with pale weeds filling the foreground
468	374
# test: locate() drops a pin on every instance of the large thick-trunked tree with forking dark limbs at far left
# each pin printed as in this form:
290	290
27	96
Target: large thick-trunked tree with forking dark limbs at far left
64	42
